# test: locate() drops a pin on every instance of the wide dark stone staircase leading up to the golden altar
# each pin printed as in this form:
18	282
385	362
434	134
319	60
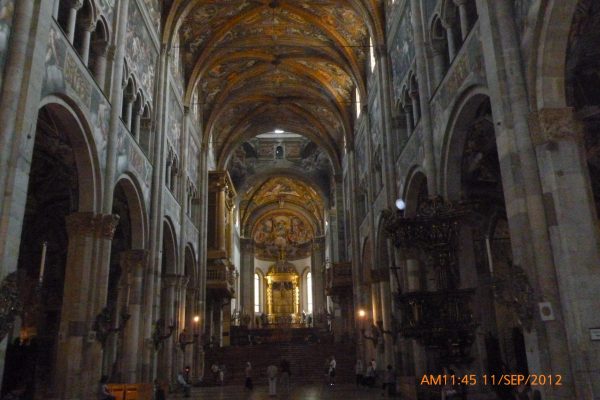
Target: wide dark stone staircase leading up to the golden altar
307	361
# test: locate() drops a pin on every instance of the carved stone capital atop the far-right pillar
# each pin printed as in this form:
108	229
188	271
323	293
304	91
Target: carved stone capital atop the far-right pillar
554	125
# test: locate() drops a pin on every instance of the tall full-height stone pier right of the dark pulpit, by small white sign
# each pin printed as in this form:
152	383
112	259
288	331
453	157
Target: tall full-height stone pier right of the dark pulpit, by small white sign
525	203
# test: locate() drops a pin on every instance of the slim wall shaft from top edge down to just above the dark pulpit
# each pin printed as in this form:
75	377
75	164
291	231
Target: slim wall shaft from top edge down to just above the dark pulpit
429	162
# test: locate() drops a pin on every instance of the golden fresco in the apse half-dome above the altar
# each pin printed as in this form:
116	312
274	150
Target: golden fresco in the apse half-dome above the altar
282	232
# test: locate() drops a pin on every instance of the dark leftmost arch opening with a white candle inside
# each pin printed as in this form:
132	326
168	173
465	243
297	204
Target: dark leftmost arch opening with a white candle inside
60	190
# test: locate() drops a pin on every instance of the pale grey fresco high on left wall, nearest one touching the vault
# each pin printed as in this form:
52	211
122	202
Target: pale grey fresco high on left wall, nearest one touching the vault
141	54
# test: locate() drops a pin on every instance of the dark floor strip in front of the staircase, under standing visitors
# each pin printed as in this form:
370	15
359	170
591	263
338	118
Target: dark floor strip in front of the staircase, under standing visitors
307	392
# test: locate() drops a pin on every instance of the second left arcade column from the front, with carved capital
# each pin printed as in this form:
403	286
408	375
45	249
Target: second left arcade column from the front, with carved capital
134	263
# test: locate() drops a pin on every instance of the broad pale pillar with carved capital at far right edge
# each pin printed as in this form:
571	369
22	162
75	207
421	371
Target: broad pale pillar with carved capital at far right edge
558	135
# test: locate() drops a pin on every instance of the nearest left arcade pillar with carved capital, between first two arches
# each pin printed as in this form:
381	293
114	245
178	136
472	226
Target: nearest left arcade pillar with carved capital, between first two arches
83	229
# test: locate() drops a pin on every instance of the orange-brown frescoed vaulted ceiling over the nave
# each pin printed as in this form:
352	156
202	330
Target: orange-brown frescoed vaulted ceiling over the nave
277	63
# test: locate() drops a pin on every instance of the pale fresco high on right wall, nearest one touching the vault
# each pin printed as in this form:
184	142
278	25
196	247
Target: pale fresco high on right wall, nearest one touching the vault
402	52
